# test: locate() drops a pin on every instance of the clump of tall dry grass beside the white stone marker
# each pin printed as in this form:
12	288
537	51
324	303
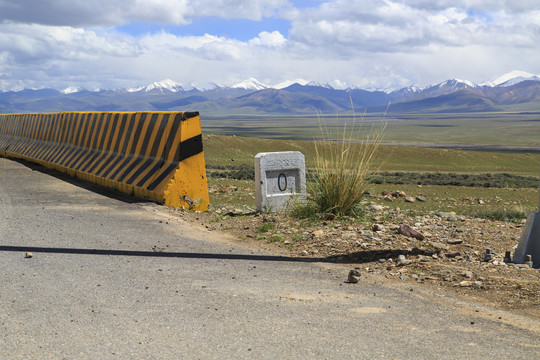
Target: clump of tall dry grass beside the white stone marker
344	164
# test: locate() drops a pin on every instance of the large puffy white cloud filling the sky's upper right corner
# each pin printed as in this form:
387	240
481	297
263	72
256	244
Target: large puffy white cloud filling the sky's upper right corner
355	27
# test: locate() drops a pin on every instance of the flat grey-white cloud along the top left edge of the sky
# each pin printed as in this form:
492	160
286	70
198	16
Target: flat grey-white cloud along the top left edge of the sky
118	12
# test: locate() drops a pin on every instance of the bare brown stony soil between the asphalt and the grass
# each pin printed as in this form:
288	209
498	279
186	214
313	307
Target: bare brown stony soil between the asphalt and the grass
449	255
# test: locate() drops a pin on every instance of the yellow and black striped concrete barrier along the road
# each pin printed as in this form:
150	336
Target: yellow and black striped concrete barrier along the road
158	155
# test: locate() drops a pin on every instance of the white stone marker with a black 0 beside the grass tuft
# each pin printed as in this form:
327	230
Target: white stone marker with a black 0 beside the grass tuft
280	178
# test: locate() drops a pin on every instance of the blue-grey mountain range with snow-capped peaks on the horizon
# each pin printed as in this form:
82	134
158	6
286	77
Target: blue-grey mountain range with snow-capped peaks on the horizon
515	91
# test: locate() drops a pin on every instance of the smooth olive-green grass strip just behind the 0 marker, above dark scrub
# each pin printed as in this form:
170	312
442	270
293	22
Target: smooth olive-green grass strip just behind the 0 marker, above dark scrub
234	150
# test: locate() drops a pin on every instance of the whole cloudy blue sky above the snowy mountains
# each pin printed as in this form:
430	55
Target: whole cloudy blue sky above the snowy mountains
371	44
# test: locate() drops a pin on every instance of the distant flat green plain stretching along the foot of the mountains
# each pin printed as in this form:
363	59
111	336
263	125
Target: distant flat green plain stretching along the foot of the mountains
512	128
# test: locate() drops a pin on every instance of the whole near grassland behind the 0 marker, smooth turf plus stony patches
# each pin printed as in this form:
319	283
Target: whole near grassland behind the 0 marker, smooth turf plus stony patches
511	202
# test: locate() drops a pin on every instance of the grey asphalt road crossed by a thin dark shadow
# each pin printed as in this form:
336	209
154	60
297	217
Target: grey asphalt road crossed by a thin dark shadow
112	279
